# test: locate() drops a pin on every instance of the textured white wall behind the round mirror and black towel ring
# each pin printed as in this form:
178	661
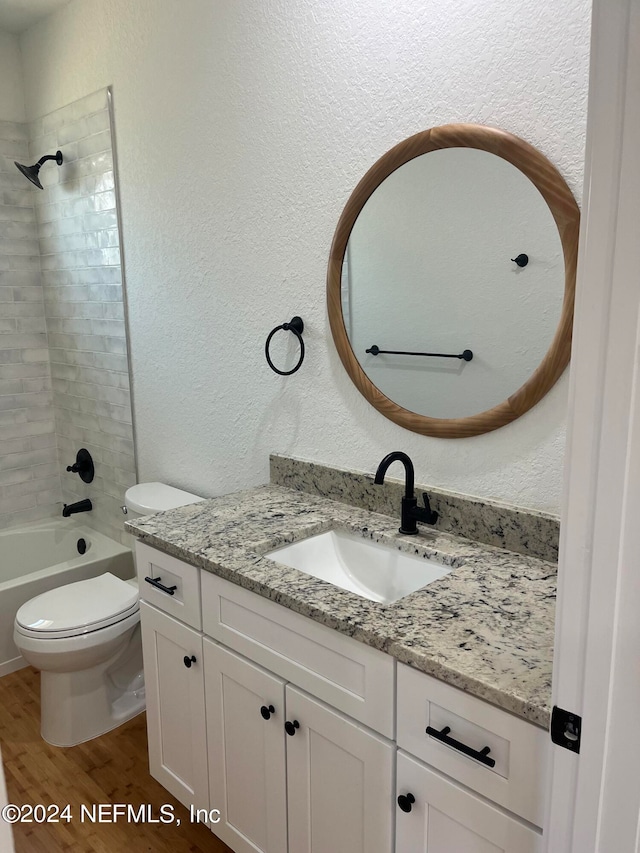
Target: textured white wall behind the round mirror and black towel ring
241	130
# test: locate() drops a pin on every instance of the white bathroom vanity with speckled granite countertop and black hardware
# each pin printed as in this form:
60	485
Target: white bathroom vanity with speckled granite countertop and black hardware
300	710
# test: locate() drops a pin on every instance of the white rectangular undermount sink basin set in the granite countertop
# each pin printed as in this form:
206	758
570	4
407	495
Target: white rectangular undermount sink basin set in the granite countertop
358	565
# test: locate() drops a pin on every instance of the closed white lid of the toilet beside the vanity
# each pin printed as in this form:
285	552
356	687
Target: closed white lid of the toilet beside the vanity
79	607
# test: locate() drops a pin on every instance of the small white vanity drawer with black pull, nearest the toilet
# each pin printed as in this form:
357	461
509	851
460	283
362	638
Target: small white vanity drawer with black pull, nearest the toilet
183	602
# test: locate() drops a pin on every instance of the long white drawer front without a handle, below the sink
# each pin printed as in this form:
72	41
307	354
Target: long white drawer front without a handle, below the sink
350	676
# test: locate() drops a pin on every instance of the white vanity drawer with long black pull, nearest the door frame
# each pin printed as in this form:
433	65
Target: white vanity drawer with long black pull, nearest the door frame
519	749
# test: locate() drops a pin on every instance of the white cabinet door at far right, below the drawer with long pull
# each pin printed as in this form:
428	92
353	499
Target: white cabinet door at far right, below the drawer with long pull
444	817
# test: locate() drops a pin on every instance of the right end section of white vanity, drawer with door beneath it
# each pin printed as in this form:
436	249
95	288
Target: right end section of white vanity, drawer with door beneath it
495	766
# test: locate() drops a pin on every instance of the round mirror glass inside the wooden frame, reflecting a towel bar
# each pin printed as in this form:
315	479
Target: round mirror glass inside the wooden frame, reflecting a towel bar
430	268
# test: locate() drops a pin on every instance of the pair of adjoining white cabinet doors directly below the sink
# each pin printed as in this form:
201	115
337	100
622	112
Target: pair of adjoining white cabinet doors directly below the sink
285	766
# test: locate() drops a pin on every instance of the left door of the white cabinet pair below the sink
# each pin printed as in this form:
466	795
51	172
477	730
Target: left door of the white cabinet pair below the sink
246	752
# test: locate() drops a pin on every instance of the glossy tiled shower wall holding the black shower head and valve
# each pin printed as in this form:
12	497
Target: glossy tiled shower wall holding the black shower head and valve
80	281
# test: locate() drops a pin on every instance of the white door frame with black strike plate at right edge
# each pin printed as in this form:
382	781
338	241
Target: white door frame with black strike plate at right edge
594	798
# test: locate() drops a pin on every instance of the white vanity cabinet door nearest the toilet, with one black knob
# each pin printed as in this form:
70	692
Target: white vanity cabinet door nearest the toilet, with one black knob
175	706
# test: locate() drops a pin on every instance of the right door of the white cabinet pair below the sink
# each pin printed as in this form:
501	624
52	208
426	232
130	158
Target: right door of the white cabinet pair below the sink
339	782
